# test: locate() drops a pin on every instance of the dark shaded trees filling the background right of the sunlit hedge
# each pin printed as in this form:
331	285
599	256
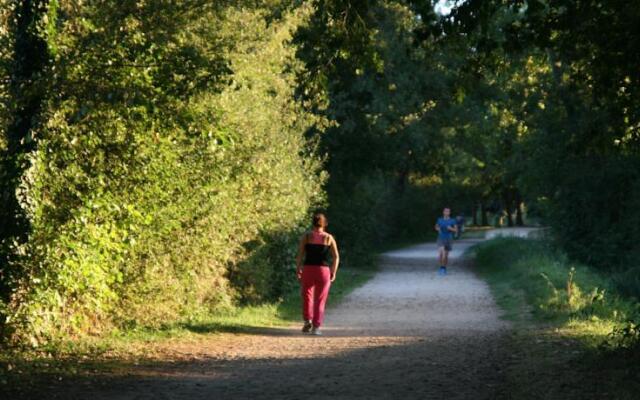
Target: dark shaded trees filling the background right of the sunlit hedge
511	107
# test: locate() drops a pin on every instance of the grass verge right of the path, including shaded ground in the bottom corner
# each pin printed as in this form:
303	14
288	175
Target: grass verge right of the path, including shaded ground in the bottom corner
563	315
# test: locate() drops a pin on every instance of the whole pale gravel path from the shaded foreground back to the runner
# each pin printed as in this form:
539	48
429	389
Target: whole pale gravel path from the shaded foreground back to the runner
406	334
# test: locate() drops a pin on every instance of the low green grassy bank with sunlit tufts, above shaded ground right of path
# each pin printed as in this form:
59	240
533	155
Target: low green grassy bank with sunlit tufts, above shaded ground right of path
553	286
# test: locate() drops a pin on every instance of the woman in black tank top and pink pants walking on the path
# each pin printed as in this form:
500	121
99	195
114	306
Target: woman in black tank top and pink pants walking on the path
315	273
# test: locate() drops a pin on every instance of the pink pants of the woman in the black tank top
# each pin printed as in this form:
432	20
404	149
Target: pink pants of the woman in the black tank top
315	290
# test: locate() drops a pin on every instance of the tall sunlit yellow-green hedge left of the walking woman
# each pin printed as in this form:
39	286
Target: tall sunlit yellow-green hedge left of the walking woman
171	175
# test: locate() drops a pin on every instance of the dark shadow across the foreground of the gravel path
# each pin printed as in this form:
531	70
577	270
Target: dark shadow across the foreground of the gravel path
374	368
